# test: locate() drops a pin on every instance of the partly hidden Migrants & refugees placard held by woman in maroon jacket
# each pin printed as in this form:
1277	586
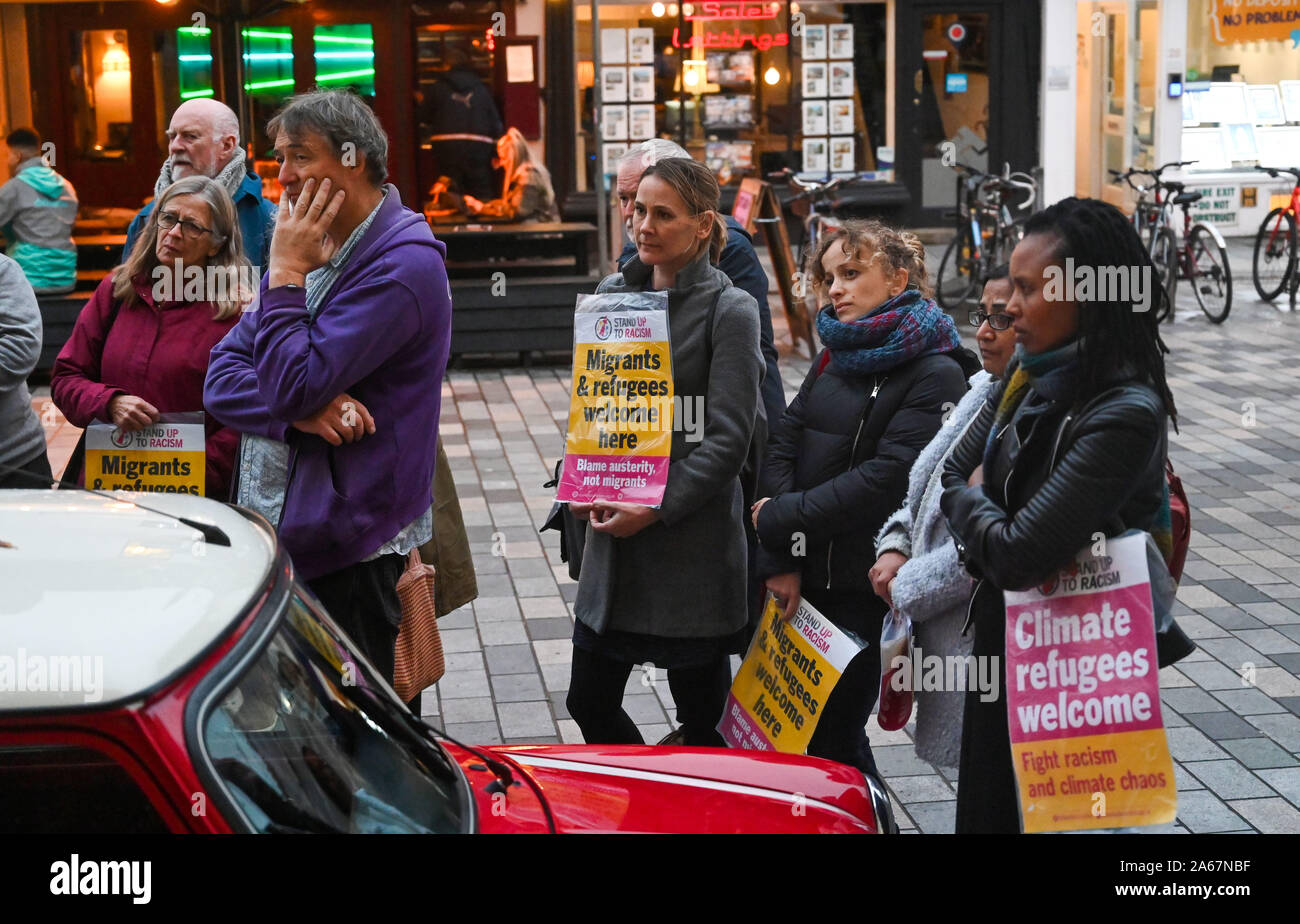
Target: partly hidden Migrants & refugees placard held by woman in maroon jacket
166	458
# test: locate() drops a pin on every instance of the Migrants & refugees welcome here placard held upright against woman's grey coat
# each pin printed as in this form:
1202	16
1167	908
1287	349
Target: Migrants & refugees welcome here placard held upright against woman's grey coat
622	401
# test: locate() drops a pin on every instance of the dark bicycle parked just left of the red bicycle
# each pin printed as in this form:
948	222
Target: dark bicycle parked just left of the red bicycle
1201	257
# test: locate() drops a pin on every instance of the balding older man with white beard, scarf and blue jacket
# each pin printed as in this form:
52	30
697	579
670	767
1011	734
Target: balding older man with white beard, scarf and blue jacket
203	138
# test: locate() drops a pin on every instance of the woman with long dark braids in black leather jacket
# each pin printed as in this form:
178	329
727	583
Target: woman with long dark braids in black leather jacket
1026	489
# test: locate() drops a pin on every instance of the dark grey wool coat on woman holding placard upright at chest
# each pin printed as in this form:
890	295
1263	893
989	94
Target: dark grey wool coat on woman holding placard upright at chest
684	575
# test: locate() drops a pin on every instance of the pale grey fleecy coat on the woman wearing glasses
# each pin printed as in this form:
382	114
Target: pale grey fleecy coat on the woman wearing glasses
933	589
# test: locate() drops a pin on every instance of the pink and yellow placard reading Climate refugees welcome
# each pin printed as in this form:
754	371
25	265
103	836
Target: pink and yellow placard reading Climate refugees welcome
1084	696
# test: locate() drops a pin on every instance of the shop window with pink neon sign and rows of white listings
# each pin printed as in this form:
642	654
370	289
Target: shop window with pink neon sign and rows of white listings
729	83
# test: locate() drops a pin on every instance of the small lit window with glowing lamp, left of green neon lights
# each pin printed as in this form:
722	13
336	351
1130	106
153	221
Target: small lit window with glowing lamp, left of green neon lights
102	98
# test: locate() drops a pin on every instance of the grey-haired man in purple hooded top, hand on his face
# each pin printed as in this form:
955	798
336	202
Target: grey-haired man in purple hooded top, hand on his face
335	376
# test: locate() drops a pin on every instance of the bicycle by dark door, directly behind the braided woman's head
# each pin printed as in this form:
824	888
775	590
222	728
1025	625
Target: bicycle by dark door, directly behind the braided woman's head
987	232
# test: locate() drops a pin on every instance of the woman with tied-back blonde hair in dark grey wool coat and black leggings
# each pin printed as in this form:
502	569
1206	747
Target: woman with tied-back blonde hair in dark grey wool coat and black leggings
668	585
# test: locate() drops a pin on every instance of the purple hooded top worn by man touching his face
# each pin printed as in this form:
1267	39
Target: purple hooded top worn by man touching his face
383	336
